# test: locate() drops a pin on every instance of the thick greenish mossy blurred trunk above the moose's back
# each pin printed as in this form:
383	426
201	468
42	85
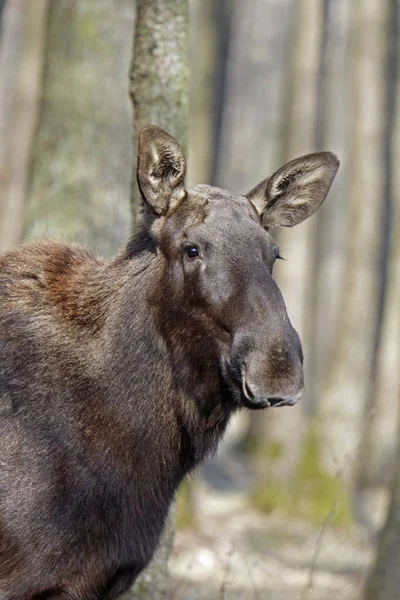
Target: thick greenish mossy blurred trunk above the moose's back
82	157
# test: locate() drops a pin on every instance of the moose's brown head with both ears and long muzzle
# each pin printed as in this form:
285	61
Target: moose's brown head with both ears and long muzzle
226	310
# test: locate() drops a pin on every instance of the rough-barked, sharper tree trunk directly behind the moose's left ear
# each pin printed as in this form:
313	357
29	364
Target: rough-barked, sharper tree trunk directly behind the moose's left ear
159	82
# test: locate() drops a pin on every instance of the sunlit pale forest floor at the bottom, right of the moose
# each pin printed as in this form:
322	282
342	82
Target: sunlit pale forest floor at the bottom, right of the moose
238	554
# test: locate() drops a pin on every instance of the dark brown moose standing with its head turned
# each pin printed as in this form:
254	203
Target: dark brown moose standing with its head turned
117	378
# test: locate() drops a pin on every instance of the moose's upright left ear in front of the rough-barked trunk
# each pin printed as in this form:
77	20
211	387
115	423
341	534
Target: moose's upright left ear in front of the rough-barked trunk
161	169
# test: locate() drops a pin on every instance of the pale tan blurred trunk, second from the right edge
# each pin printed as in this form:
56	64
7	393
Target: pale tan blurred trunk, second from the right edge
345	391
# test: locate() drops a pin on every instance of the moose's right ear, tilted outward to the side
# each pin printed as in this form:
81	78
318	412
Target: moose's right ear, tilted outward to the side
295	191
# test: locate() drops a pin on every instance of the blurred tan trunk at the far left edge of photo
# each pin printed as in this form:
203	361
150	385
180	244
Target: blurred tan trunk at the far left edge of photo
23	32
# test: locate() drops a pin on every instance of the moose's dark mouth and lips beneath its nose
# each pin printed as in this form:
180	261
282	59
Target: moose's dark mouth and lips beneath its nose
234	377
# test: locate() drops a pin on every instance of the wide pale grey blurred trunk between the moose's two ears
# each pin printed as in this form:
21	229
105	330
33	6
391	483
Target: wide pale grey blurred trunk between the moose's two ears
253	124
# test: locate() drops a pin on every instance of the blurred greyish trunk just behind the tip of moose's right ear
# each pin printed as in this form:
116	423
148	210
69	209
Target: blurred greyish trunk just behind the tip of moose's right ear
332	133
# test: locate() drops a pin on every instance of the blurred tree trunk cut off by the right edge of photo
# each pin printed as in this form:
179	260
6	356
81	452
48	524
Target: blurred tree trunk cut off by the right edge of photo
379	439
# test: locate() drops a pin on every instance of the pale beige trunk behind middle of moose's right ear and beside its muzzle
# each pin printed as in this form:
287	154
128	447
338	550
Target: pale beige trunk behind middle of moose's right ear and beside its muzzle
295	276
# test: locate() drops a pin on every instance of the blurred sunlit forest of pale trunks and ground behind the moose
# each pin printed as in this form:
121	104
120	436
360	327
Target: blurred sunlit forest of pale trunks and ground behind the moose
298	502
